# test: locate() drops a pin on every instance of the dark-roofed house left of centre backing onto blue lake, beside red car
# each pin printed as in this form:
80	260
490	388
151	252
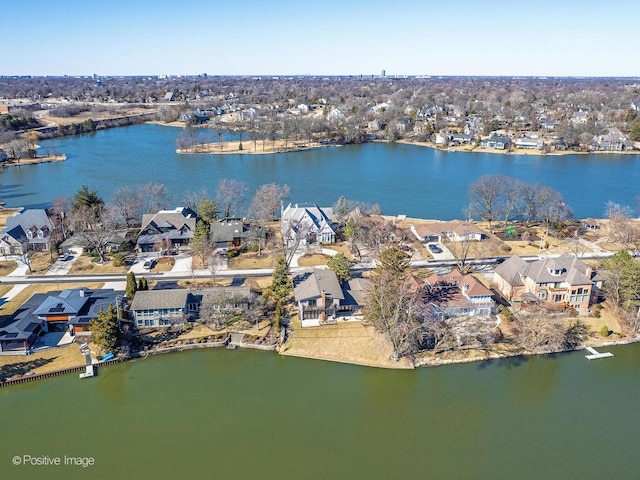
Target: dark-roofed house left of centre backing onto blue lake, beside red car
166	229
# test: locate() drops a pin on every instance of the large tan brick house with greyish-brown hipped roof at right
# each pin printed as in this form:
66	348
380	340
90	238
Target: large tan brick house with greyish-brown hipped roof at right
561	280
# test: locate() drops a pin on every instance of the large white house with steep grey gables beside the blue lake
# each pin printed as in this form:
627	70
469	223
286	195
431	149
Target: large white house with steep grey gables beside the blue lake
310	222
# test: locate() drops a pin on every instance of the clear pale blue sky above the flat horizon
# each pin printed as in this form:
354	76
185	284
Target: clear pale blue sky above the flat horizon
330	37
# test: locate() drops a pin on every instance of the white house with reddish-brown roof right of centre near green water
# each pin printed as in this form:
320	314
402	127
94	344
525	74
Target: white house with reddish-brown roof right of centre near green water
458	295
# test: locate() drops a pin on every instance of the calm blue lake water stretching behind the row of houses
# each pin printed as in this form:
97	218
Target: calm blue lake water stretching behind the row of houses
407	179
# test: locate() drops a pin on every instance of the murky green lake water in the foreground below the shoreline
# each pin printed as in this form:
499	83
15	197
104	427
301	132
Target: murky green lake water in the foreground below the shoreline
251	414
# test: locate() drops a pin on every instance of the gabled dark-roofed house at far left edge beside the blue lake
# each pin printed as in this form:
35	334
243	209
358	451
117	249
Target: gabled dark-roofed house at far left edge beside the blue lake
29	230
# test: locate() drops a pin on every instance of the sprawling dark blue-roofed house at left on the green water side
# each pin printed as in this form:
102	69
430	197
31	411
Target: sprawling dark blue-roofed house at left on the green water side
69	310
